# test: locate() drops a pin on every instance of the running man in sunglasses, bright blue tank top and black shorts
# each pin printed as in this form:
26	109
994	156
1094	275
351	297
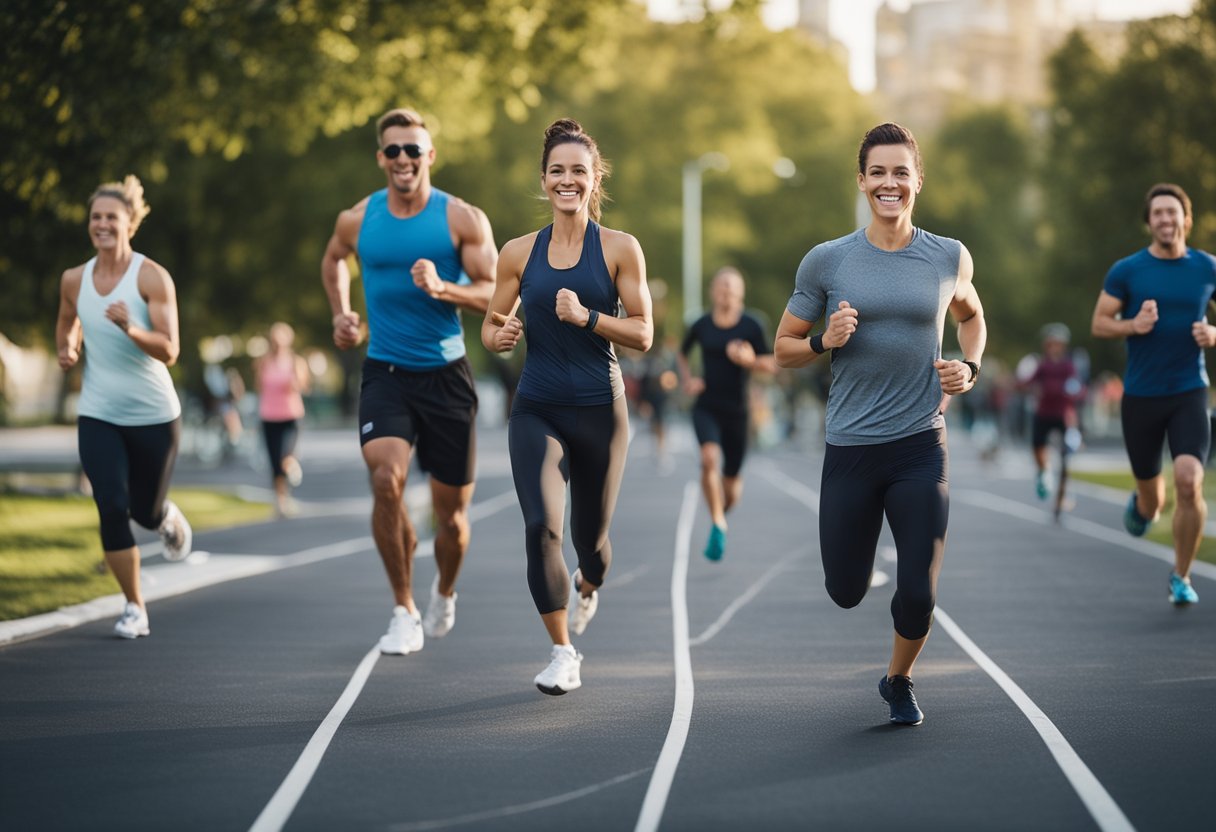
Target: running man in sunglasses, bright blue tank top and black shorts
424	257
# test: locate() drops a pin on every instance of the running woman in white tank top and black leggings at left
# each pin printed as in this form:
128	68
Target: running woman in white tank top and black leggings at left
122	308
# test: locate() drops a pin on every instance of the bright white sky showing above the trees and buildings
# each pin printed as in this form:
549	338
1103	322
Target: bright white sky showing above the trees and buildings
853	23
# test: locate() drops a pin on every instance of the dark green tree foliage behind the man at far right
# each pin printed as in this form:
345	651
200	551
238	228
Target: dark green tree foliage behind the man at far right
1114	131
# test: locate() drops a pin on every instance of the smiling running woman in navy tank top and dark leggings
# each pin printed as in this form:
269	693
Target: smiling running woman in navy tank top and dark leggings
570	423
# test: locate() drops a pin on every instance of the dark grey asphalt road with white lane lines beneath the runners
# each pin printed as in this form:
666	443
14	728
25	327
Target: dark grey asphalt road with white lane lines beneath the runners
1061	690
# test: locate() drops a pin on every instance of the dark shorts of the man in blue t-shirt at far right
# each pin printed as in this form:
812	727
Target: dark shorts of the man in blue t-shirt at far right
1151	420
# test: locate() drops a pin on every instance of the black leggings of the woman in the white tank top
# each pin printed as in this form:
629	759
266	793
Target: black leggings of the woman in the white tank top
130	470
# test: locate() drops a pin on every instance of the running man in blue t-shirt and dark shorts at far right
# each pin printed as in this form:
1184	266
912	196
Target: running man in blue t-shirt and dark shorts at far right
1158	301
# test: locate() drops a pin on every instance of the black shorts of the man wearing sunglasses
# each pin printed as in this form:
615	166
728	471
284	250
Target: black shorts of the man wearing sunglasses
434	411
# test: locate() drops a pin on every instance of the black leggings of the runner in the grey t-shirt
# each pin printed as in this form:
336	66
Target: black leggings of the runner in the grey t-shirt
908	481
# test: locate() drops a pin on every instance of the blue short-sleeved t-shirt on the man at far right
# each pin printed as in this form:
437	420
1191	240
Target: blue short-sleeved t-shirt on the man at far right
1168	361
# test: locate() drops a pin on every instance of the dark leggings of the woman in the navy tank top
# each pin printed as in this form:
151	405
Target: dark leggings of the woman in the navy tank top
553	446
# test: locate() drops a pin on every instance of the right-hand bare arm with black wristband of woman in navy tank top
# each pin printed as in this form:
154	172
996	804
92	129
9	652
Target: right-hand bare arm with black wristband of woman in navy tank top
627	262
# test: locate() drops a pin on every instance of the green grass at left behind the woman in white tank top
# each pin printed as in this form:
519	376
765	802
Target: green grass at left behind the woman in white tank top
50	548
